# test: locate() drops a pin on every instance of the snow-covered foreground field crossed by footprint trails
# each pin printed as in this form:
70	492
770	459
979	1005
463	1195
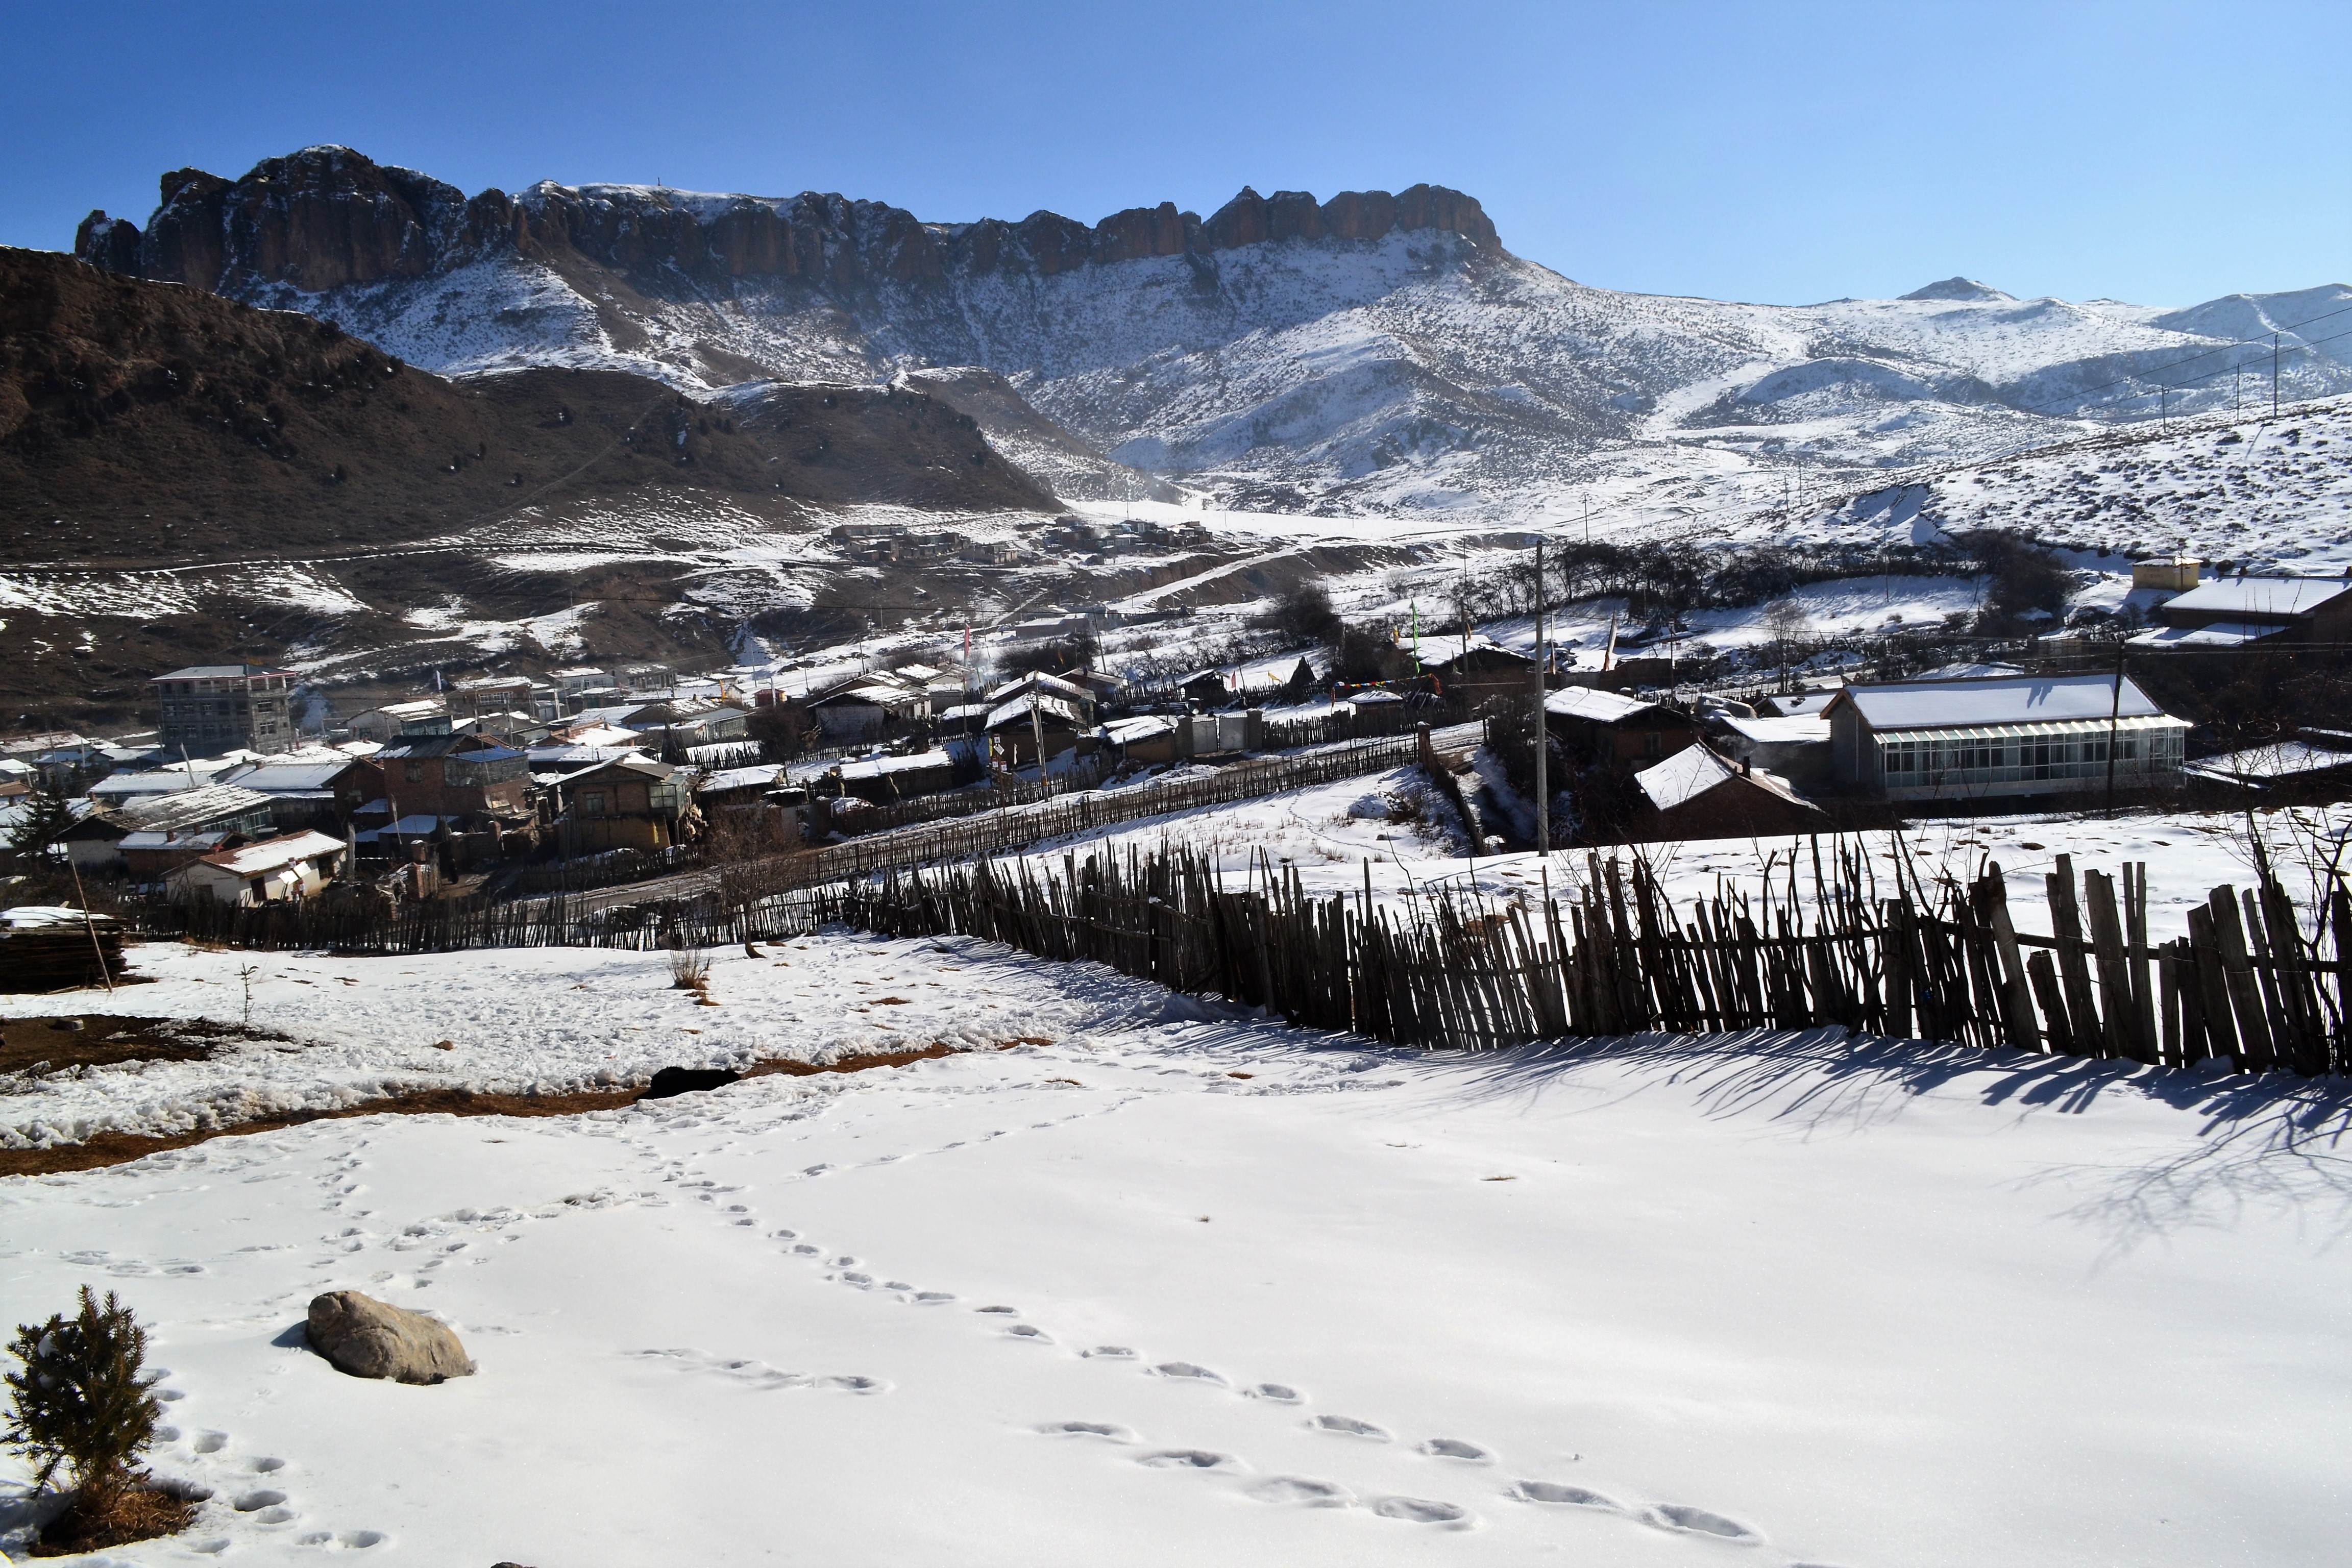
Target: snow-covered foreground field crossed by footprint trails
1187	1287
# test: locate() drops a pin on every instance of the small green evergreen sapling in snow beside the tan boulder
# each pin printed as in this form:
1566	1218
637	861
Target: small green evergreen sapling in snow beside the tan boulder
83	1400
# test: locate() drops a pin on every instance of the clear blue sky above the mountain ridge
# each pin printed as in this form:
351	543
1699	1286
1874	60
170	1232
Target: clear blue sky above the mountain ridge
1786	154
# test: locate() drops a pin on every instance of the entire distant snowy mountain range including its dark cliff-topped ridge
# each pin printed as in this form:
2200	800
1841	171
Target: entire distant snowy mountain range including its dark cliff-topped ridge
1372	354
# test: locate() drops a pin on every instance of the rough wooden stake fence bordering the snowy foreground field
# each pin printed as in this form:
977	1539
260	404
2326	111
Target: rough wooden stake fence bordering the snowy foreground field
2250	984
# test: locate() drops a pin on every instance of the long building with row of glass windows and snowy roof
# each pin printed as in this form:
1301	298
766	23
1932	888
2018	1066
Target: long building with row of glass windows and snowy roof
2010	735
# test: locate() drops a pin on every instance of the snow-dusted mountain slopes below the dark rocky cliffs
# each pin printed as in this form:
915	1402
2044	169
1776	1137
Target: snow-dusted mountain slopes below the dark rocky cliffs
1410	373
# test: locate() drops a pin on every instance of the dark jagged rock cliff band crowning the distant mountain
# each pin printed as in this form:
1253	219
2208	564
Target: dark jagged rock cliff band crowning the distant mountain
330	217
